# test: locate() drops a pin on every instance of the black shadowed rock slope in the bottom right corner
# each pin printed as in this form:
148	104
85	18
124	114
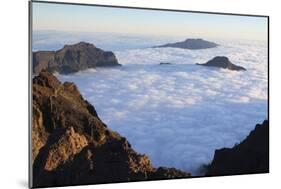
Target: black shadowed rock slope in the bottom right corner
250	156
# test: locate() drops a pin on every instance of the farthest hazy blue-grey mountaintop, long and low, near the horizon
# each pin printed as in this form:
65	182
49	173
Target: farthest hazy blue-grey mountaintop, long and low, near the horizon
192	44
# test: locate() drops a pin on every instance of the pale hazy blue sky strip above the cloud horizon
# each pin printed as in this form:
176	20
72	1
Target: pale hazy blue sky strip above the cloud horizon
64	17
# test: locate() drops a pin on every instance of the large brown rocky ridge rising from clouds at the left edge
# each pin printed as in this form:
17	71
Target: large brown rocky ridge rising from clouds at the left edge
73	58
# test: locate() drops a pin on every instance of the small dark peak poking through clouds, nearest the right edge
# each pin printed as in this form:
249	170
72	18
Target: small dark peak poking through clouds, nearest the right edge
222	62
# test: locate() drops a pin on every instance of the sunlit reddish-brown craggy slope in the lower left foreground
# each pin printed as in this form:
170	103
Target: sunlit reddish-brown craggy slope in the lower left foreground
72	146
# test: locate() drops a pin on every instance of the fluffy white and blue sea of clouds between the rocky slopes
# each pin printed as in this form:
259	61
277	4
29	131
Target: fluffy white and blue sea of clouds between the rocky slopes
179	114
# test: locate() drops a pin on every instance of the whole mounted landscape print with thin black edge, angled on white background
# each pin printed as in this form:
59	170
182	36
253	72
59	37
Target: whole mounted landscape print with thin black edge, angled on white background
123	94
